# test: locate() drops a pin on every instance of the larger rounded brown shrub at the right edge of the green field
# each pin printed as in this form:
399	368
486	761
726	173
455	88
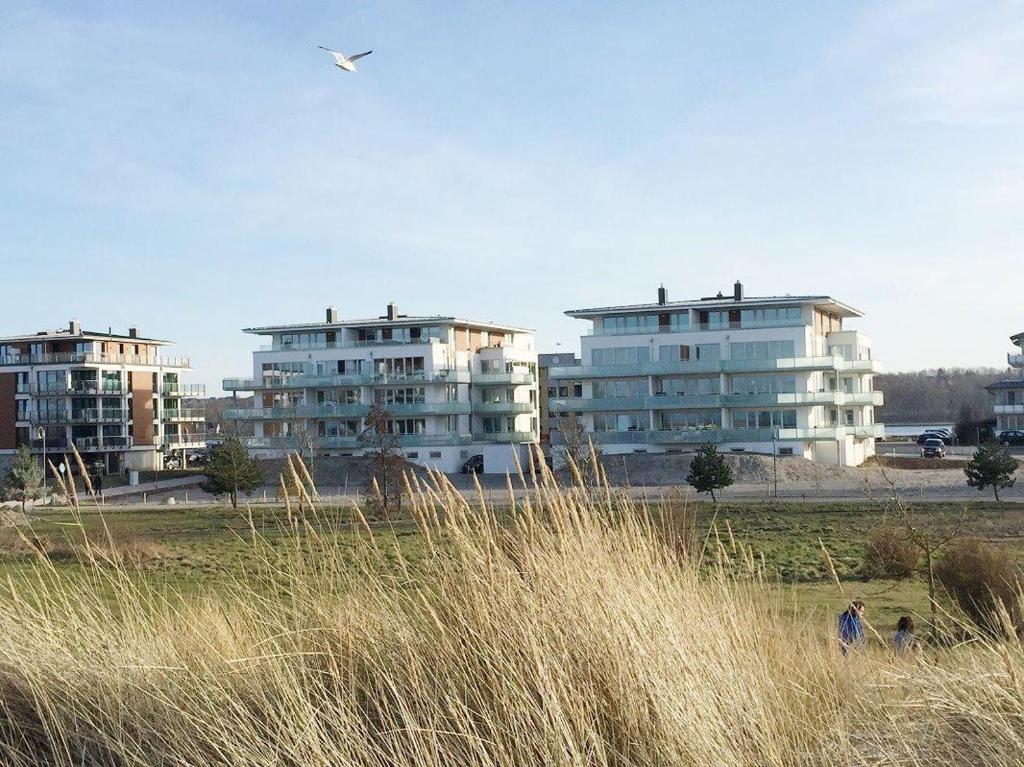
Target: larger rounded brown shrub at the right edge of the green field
980	576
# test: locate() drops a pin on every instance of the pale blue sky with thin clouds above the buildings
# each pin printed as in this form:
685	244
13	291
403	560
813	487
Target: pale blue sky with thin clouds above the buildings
195	171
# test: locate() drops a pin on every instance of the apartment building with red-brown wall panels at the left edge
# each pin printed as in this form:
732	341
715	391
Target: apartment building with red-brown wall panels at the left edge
112	397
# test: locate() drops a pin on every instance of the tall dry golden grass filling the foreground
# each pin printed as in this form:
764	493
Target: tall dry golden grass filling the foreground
580	630
